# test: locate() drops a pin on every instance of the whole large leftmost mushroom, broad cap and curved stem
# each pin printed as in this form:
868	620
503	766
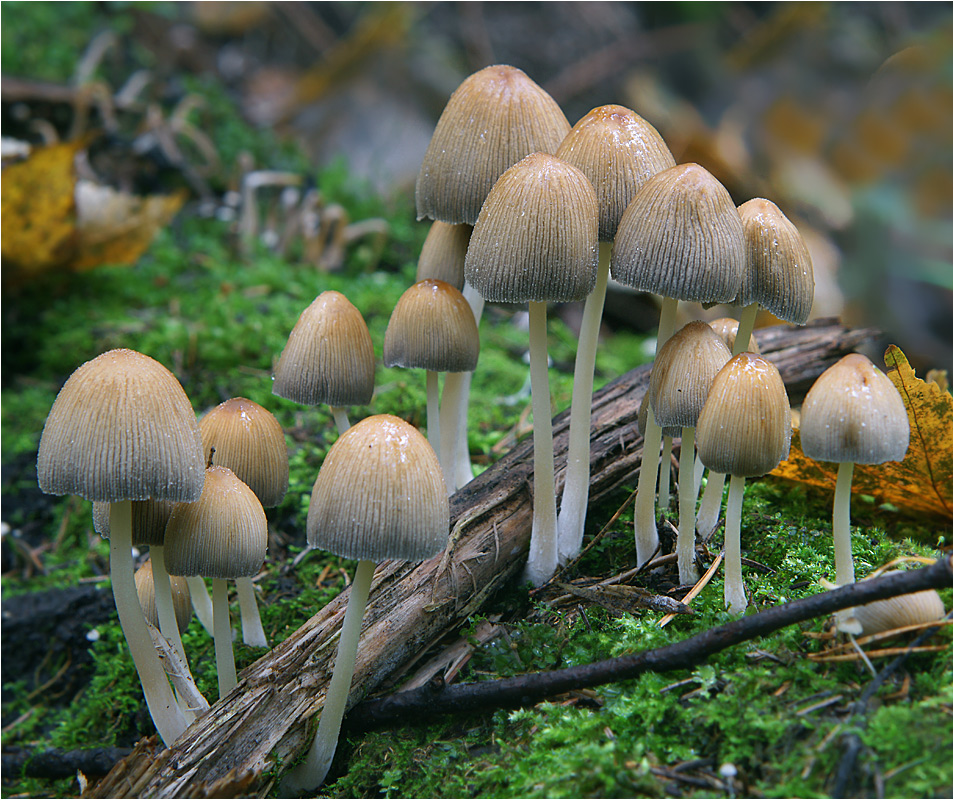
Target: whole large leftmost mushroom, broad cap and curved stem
122	429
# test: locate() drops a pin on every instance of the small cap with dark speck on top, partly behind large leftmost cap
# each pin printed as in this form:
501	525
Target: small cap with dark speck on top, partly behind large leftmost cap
222	535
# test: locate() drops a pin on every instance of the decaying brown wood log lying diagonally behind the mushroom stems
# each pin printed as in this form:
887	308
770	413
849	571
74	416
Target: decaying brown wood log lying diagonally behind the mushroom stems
268	718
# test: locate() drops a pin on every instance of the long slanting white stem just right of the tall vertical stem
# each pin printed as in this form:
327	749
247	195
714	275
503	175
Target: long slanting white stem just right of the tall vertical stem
576	487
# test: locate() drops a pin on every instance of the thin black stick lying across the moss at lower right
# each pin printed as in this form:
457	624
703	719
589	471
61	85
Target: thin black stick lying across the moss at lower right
525	690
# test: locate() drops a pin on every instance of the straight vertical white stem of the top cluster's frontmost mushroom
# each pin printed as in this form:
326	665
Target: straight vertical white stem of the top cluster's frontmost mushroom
542	562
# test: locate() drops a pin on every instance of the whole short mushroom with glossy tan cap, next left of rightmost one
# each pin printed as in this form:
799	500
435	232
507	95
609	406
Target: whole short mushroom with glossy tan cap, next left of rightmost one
744	430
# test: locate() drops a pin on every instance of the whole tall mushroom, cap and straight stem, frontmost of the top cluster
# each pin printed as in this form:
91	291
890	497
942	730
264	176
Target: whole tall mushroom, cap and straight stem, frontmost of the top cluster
536	241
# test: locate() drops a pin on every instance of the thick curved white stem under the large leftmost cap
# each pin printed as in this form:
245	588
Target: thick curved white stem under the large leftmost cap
165	712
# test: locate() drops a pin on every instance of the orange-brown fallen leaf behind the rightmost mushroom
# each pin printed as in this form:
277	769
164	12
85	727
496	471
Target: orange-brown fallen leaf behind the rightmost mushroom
920	485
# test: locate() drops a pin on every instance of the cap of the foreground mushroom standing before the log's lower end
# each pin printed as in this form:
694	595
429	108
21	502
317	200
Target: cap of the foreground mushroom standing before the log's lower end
380	494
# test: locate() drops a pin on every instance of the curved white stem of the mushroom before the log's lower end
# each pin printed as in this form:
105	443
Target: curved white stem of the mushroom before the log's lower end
311	773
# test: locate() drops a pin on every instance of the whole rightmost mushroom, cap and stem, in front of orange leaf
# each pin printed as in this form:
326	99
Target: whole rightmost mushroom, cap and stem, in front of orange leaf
853	414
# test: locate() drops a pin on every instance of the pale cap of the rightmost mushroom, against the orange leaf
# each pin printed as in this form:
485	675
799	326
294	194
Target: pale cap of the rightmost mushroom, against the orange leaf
854	413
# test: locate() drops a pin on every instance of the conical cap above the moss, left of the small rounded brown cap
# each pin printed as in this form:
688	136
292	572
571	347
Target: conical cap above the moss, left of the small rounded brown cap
329	357
